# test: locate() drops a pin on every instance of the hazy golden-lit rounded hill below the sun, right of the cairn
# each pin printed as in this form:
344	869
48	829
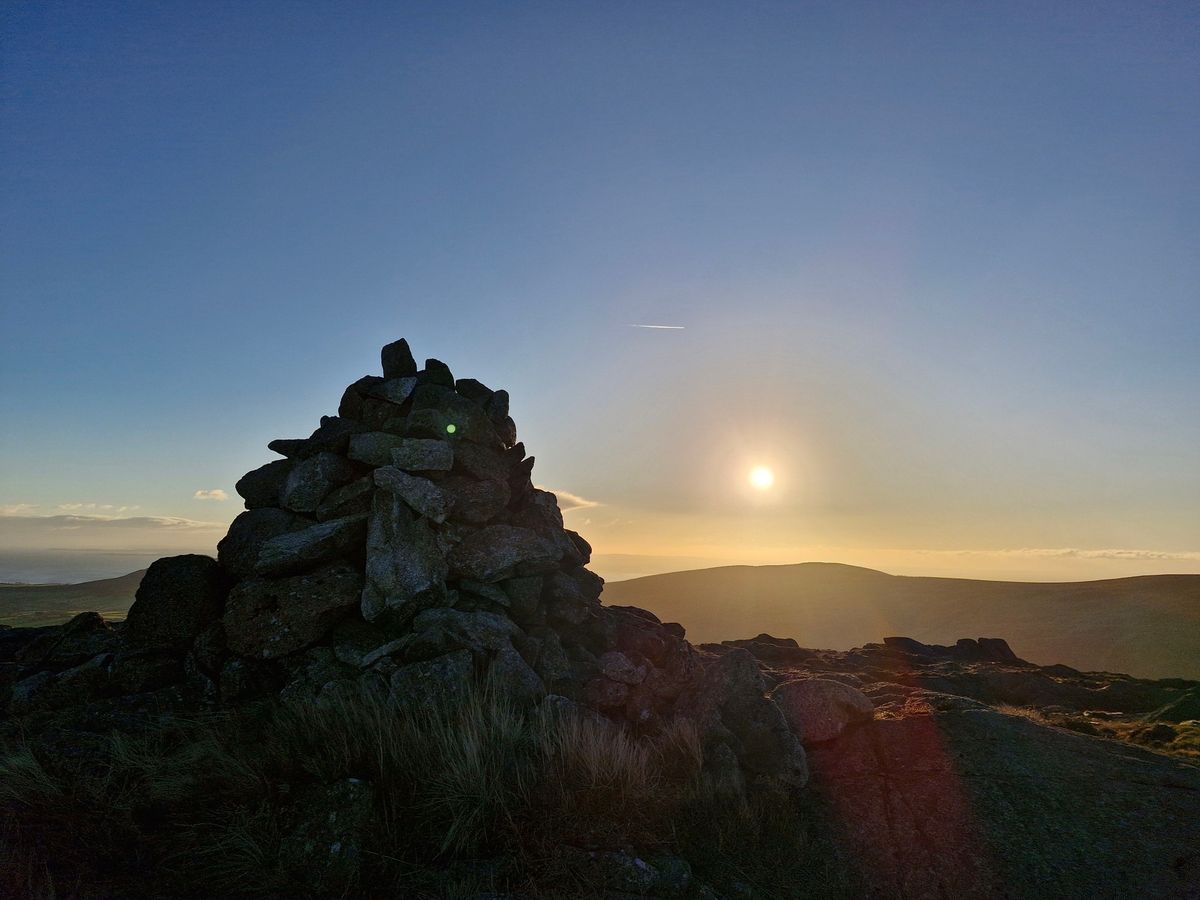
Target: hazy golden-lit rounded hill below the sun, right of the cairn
1148	626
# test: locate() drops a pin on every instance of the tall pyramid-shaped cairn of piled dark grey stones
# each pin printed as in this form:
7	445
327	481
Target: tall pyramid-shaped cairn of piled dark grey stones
404	548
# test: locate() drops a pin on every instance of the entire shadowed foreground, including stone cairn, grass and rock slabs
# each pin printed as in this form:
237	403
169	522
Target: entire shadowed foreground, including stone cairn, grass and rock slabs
398	679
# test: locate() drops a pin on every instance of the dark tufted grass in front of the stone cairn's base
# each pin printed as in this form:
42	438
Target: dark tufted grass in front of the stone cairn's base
483	797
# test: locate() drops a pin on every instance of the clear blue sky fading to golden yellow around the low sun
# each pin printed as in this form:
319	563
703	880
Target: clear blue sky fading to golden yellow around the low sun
937	265
